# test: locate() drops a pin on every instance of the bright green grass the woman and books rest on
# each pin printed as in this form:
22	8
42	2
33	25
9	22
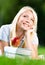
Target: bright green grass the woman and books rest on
23	60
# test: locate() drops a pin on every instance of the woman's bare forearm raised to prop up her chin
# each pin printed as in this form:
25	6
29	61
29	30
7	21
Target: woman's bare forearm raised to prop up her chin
30	45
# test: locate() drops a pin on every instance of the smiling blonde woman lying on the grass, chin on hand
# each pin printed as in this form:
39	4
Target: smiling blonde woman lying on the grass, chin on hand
23	27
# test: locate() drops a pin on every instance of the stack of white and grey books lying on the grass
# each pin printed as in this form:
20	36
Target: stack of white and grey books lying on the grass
11	52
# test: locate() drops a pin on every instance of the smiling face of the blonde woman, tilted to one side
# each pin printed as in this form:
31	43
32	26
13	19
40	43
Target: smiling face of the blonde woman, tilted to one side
26	20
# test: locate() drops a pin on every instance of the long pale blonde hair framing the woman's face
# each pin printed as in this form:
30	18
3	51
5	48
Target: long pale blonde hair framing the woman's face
22	10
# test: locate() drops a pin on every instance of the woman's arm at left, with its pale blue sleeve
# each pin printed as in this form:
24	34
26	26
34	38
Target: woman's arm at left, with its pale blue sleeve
4	36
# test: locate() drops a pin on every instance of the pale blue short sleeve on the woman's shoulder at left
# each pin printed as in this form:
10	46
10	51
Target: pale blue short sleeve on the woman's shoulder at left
4	33
